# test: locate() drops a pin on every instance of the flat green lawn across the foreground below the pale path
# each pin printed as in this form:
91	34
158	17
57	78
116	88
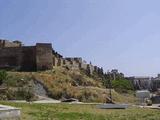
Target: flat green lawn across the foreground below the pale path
81	112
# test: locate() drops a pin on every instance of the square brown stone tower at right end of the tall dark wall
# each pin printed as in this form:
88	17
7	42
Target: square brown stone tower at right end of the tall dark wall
44	58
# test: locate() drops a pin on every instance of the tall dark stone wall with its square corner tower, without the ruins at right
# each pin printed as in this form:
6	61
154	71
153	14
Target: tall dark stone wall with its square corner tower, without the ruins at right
25	58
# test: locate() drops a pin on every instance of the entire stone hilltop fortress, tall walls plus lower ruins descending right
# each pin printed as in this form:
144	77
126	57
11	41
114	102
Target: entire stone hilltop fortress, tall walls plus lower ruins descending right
14	55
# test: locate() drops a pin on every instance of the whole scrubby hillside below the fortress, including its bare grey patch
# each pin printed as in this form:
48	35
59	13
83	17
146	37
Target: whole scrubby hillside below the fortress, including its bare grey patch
59	83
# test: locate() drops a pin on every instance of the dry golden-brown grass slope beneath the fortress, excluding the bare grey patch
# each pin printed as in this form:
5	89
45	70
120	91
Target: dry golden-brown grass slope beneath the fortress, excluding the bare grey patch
63	82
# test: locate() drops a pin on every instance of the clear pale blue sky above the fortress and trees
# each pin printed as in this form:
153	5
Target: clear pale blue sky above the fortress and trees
122	34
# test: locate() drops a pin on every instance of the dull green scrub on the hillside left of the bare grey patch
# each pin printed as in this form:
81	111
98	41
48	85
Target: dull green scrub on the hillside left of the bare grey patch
17	87
